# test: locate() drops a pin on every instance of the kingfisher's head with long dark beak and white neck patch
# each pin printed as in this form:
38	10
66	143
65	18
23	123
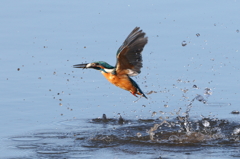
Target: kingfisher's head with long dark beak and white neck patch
99	65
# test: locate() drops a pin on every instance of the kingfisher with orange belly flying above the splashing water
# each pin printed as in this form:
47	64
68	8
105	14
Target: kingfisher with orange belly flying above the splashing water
129	63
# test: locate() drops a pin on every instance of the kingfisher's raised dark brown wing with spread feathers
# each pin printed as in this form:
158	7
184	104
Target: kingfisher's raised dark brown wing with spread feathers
129	57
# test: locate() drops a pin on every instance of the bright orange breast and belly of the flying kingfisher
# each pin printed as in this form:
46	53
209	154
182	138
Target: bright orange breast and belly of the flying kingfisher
121	81
